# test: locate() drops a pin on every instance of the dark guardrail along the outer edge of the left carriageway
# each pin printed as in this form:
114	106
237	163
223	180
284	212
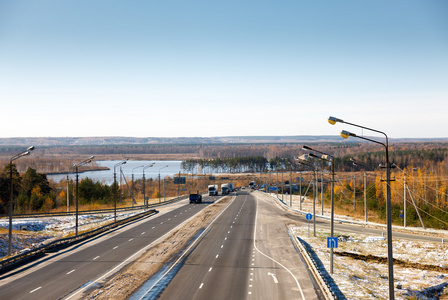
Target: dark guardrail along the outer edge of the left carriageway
19	259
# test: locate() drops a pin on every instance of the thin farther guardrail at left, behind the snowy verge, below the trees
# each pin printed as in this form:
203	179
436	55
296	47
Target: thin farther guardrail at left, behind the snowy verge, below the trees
93	212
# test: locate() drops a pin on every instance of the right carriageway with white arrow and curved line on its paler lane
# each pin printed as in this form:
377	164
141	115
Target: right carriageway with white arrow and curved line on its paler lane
246	254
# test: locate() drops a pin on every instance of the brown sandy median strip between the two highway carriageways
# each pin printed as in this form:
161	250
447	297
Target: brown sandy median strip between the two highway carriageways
124	283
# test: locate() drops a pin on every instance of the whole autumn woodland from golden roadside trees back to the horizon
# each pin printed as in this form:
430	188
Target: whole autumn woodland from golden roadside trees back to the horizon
424	164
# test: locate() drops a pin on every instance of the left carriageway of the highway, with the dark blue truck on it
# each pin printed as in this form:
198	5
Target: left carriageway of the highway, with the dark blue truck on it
69	272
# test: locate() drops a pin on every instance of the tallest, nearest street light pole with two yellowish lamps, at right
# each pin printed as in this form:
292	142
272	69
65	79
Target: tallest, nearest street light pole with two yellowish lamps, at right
346	134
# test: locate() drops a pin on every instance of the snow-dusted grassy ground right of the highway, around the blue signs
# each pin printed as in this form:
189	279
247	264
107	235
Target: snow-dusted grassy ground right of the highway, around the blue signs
357	279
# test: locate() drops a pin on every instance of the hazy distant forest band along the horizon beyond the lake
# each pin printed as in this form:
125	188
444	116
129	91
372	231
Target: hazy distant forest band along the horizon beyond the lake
51	159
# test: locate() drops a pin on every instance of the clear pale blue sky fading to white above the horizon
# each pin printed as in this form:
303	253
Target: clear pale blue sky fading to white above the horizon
222	68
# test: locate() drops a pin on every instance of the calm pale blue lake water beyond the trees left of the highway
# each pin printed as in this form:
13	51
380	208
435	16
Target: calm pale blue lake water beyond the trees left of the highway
131	166
